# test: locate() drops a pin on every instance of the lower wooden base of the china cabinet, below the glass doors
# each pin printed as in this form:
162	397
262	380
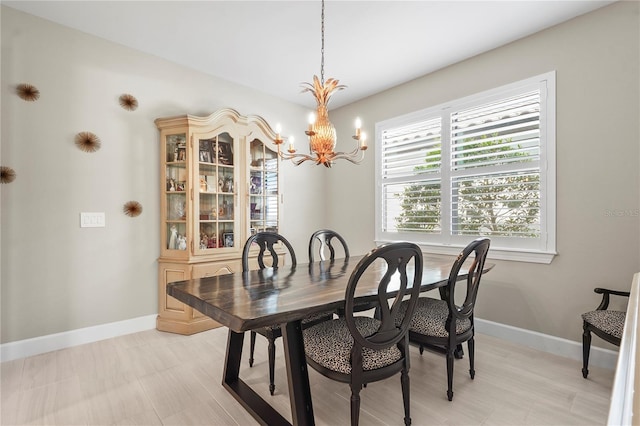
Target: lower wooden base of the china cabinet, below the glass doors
173	315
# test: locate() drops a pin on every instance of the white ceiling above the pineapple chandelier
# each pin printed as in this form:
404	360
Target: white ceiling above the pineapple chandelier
273	46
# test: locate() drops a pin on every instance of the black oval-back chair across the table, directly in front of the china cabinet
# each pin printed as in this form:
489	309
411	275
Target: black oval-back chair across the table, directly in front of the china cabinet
266	241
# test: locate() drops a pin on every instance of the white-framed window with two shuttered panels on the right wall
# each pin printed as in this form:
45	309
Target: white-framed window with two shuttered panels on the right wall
479	166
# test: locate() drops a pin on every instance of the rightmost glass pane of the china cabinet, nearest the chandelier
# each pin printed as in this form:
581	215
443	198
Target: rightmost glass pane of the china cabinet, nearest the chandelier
263	188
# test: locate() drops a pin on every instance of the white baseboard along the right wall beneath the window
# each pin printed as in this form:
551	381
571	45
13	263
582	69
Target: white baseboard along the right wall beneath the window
598	357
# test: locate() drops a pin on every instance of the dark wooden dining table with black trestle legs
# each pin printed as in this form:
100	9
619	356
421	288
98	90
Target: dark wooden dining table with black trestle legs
245	301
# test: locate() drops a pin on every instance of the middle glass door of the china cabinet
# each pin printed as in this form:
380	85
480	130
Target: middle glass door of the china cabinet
215	201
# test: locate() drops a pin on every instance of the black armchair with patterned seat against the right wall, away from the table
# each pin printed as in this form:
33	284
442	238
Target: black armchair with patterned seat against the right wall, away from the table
604	323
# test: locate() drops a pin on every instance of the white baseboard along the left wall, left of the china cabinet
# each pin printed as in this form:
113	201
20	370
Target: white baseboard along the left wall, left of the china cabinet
38	345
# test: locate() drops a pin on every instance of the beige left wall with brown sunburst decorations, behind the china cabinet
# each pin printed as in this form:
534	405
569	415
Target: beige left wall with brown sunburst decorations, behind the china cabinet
56	276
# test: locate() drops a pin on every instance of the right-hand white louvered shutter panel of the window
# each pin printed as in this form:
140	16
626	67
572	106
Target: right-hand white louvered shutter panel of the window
495	168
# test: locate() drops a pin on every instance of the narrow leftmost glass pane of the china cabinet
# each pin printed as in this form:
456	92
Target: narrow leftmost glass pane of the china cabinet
175	224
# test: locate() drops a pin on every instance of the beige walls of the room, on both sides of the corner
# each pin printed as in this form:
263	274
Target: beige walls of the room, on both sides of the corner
58	277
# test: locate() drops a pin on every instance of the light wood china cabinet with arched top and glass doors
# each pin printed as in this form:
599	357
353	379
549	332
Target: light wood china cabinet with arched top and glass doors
219	185
